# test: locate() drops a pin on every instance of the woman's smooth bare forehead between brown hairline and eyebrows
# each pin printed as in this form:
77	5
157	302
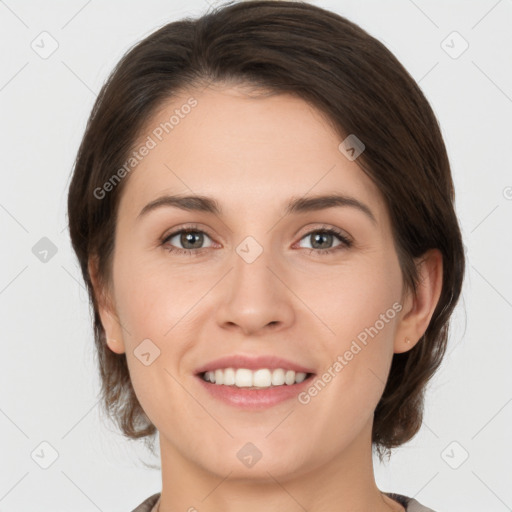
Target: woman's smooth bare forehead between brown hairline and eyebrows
246	150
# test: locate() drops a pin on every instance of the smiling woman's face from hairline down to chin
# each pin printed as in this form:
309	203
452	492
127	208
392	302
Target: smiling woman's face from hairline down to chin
257	280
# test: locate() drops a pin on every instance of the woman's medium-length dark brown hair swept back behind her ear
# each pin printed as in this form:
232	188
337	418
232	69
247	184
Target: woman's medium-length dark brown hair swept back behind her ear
334	65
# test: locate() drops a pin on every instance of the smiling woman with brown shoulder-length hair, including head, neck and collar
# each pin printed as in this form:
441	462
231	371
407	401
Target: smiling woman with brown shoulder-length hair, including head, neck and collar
262	208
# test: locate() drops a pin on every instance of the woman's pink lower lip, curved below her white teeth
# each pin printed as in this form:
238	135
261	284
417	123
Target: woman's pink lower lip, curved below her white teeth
254	398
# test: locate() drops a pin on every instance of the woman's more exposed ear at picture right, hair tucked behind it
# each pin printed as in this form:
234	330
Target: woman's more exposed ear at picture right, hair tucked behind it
419	307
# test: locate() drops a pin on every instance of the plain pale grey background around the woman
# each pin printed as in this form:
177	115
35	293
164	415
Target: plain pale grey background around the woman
460	461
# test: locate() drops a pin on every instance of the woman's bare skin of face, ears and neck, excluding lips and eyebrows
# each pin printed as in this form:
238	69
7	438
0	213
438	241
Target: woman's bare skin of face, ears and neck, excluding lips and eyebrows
253	155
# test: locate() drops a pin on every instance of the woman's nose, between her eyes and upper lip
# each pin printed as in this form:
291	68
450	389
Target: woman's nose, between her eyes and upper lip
254	297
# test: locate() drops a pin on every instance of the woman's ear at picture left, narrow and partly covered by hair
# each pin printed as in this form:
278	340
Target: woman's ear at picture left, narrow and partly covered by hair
106	309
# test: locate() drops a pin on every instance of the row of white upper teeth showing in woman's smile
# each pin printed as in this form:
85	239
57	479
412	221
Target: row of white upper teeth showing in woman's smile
244	378
